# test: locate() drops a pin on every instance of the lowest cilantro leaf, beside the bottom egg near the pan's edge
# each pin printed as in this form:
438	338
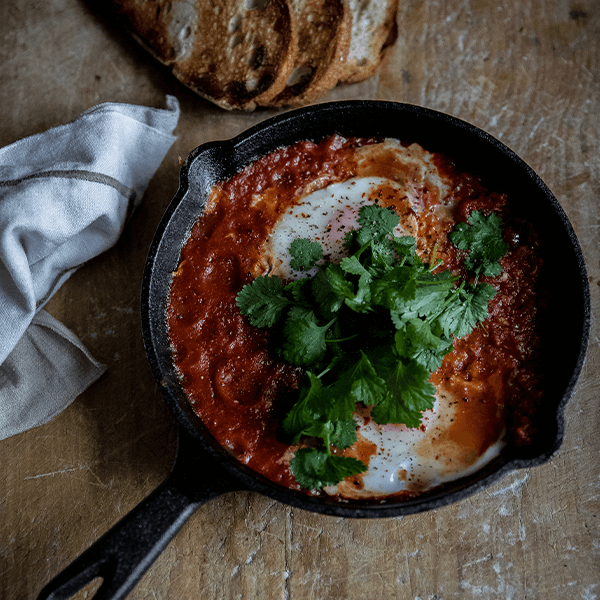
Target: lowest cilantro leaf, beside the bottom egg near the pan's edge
314	468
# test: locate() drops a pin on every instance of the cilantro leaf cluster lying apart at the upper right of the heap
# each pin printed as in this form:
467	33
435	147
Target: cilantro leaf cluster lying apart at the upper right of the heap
482	238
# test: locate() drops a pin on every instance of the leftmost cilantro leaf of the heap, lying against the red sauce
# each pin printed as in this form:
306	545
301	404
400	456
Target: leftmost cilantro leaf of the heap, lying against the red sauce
263	301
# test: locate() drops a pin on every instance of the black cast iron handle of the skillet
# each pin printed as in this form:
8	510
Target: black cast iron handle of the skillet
127	550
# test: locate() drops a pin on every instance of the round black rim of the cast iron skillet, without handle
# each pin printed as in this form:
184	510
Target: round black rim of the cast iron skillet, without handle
230	153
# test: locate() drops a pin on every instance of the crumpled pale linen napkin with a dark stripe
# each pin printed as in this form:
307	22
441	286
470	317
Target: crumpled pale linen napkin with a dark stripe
65	195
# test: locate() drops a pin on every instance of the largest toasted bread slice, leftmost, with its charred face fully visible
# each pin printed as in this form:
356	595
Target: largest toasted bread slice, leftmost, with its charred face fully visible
235	53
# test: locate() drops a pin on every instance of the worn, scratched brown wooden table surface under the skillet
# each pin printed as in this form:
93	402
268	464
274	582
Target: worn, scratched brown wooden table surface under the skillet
528	72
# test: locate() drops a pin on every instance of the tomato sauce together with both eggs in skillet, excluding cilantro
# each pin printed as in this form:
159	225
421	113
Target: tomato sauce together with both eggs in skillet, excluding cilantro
487	387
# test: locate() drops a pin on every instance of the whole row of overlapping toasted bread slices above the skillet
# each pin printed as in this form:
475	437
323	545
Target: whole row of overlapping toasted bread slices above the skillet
240	54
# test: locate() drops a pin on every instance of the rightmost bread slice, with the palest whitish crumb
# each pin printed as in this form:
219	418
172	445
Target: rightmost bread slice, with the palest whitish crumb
374	29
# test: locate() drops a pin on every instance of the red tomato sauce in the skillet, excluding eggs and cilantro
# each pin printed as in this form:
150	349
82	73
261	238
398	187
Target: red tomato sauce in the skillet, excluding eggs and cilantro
232	378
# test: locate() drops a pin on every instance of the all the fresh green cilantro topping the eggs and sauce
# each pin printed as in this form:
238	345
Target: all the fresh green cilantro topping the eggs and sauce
369	330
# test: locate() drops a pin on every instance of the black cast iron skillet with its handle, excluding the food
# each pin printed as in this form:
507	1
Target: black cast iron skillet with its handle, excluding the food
202	468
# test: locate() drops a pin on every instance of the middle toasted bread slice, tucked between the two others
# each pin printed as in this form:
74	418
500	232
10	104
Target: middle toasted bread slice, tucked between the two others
323	44
